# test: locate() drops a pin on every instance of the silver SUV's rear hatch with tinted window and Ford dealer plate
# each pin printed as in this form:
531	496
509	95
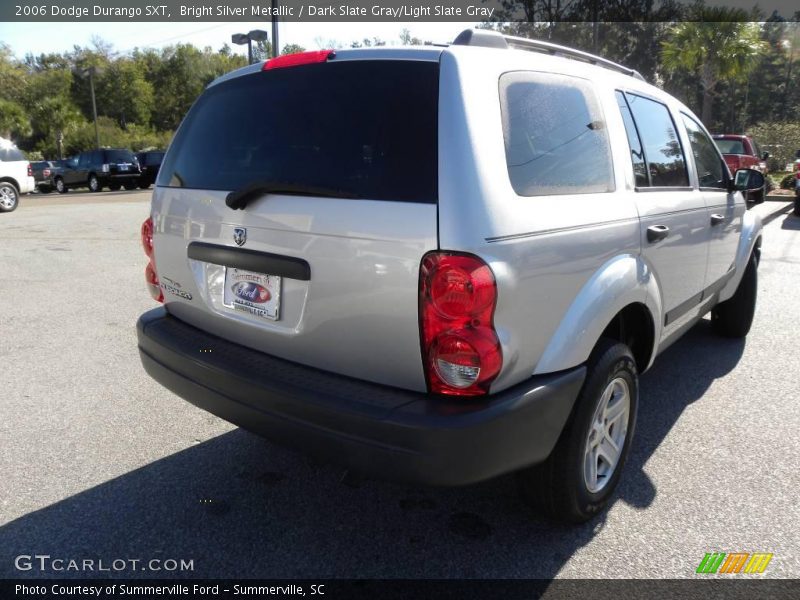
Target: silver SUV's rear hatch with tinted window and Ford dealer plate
320	265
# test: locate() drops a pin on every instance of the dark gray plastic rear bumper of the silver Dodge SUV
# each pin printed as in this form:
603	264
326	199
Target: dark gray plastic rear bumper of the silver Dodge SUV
373	429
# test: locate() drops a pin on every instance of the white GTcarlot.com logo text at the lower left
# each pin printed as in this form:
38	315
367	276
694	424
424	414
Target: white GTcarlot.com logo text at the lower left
46	563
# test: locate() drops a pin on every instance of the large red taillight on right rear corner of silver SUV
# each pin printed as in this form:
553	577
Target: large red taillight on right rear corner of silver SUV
460	348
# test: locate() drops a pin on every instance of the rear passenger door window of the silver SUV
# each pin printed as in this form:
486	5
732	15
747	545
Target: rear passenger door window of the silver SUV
662	148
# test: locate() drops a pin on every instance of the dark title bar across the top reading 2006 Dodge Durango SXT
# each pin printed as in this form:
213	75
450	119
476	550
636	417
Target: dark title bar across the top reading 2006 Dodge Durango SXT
405	11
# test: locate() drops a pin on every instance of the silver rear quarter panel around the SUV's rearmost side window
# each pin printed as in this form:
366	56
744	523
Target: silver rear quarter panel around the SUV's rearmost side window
556	258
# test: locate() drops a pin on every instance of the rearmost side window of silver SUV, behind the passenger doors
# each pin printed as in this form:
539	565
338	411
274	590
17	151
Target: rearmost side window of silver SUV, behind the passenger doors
555	135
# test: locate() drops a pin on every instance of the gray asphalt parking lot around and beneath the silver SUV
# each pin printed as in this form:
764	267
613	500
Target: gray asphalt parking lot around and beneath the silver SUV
100	462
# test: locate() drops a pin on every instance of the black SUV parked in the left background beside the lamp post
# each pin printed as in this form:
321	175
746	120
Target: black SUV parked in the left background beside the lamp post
110	167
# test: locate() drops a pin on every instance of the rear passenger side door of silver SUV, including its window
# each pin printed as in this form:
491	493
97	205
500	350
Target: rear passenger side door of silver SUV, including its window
672	215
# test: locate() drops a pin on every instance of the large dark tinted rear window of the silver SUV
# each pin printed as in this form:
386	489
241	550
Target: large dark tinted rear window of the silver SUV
366	128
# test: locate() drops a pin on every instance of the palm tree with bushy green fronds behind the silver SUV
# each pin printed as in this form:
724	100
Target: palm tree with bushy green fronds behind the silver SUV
720	45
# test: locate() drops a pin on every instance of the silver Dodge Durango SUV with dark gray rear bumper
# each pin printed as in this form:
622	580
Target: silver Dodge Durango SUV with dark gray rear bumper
442	264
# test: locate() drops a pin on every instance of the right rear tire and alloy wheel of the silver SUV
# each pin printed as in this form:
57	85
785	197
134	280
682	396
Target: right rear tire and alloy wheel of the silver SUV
563	487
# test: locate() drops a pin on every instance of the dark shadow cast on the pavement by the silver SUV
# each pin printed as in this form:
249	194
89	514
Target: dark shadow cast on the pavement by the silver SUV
240	507
